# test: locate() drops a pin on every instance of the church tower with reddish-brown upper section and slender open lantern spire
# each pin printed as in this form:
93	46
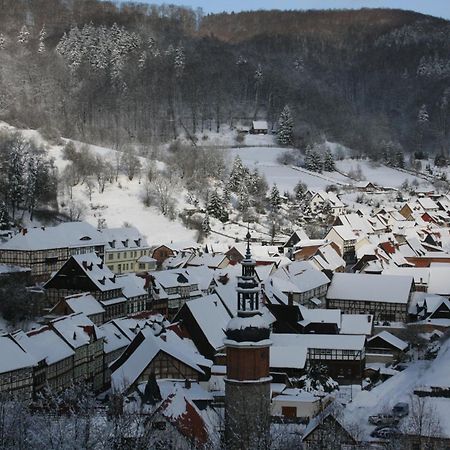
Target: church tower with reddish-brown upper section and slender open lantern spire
247	383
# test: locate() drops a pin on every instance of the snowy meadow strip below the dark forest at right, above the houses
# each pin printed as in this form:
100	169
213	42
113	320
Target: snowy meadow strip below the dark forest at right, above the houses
379	174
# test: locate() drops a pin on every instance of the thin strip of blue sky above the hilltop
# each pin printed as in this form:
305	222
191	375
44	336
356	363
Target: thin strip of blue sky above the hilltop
440	8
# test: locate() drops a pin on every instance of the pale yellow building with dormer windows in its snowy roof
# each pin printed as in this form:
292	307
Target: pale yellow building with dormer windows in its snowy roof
127	251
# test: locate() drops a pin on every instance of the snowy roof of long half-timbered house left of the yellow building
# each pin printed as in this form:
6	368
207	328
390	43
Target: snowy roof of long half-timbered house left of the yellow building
68	234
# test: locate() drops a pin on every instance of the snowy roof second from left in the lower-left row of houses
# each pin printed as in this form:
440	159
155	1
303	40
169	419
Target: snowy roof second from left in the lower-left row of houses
44	344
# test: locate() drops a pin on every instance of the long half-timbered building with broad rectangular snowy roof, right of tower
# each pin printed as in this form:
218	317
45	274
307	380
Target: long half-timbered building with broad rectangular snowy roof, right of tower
386	297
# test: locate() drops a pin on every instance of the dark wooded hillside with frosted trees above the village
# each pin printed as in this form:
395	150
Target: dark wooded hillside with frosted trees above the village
374	80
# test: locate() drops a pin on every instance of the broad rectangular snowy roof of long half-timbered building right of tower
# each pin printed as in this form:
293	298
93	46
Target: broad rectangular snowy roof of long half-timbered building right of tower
375	288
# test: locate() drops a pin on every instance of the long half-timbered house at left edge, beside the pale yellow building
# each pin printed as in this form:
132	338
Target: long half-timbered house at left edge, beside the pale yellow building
45	250
